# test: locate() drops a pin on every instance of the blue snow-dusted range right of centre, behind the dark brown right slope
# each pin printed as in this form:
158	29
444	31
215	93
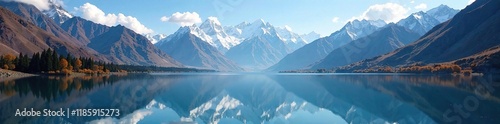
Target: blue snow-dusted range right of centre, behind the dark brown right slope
317	51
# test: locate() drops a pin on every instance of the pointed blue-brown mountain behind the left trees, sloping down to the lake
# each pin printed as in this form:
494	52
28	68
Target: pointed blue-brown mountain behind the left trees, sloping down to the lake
124	46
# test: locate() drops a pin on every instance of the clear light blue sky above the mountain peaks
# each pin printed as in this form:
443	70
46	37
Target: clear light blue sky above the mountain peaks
303	16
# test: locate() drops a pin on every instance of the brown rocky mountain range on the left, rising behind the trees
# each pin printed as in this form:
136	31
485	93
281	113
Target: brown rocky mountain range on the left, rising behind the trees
88	39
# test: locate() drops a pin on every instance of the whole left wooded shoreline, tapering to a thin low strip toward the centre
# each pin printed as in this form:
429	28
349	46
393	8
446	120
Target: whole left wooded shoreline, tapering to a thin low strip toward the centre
48	61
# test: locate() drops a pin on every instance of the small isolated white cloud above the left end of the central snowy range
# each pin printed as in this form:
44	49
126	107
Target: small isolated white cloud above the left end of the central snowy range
183	19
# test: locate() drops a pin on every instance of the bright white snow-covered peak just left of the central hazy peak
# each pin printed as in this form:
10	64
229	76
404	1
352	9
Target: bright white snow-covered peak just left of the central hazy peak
217	35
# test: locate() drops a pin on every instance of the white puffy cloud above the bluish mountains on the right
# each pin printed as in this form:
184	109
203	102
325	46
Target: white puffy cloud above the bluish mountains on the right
389	12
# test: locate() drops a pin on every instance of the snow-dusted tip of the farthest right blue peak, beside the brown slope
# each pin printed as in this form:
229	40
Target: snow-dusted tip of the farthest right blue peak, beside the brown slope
442	13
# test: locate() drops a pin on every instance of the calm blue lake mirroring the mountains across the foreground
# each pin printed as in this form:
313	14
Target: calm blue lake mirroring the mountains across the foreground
257	98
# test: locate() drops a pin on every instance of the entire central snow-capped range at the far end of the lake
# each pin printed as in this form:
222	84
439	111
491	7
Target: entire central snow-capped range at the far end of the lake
252	46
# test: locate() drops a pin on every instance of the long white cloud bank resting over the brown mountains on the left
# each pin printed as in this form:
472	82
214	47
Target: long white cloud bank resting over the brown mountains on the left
93	13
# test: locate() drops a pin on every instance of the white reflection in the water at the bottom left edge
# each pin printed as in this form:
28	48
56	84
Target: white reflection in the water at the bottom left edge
132	118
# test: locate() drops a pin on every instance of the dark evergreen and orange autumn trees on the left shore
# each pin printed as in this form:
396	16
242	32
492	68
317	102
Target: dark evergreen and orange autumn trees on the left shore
48	61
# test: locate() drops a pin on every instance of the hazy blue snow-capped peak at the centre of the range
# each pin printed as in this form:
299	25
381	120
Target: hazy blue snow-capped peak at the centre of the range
262	45
